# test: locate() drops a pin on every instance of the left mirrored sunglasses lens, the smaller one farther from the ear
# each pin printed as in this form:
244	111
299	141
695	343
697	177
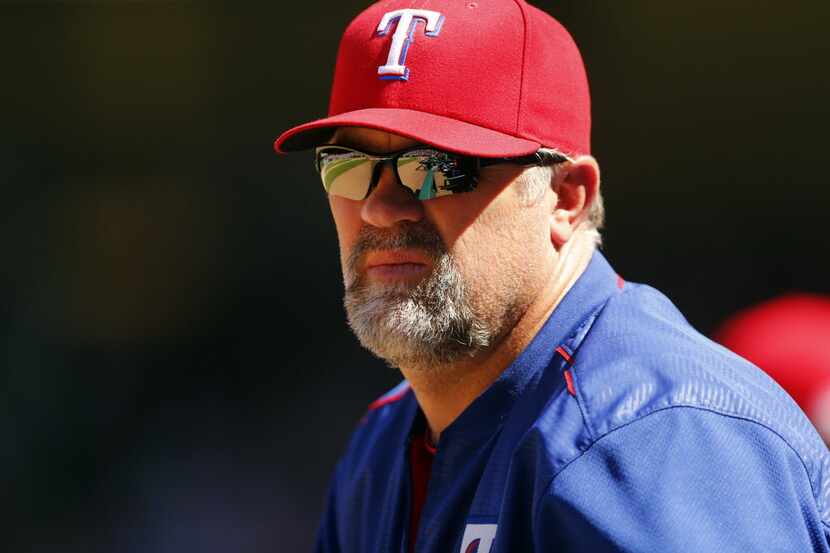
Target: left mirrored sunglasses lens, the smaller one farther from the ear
344	172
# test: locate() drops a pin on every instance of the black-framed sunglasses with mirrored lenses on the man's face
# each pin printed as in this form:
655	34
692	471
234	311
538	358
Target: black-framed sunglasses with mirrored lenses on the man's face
426	172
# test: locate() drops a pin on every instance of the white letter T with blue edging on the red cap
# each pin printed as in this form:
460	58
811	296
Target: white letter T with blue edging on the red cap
406	22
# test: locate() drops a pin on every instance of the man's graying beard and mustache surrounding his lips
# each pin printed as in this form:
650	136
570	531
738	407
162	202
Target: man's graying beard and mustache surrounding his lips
421	327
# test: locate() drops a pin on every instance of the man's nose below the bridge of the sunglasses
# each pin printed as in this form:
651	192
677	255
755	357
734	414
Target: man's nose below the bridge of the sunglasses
390	203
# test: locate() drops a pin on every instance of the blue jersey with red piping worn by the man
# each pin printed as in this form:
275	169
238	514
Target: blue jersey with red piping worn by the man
619	428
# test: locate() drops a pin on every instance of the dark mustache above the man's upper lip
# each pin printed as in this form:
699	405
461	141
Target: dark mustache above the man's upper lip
420	235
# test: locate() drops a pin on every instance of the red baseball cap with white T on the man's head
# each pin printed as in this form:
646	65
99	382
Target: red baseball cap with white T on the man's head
493	78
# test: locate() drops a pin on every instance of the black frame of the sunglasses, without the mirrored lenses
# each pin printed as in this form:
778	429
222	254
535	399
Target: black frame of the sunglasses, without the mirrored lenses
471	163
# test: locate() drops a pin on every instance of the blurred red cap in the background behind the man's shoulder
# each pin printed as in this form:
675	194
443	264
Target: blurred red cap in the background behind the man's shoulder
789	338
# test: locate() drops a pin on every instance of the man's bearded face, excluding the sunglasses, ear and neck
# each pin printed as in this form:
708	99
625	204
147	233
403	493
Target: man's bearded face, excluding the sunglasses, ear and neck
430	282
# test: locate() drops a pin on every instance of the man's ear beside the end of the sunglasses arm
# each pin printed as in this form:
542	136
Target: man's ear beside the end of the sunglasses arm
576	189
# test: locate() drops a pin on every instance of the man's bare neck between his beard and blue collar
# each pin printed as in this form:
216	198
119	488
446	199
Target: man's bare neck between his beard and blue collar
445	393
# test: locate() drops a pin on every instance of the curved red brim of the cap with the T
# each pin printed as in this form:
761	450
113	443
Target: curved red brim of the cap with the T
442	132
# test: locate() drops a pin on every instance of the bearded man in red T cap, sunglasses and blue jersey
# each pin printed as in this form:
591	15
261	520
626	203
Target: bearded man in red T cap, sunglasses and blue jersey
547	404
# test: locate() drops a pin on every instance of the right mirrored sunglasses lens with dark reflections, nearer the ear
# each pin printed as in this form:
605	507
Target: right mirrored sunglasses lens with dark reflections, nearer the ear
431	173
